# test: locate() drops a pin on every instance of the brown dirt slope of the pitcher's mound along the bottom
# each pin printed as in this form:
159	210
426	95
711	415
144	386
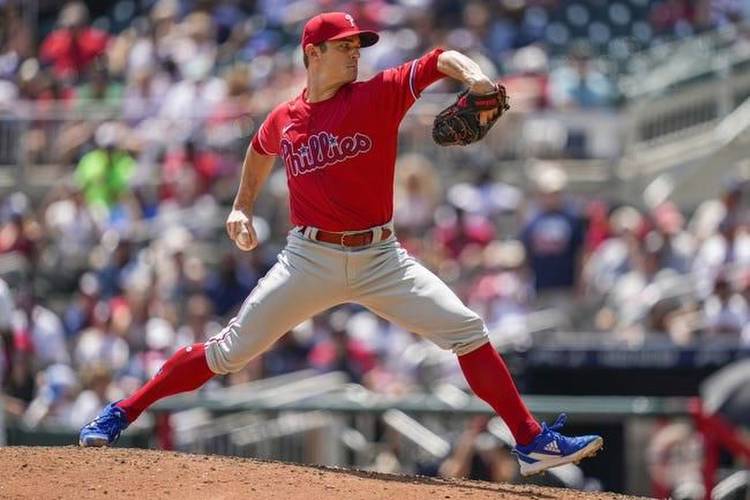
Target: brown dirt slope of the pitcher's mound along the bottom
72	472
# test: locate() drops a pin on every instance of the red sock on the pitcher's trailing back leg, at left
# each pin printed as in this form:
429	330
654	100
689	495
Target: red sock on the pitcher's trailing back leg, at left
186	370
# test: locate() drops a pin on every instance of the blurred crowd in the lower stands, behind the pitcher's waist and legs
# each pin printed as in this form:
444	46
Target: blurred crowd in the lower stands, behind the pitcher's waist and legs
100	295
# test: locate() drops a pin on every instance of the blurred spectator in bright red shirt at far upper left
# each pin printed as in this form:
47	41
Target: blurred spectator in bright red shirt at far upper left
75	45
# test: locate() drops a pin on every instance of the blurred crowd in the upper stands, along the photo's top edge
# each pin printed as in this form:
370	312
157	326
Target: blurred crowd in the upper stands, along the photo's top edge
176	58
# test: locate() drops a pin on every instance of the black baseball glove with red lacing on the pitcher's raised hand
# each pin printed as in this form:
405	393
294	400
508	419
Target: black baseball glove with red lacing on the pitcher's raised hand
459	123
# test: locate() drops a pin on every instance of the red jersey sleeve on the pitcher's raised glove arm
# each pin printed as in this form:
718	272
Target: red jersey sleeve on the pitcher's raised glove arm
404	84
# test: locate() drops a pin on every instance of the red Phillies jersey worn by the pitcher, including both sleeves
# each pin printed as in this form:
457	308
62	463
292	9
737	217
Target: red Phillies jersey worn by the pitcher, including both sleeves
340	153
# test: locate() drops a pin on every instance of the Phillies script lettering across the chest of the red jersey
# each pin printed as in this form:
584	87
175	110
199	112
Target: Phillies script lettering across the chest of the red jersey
322	150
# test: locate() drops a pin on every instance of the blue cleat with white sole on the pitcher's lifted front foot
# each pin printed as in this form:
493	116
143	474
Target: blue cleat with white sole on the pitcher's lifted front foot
551	449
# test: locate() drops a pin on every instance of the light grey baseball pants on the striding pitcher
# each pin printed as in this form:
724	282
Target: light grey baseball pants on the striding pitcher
311	277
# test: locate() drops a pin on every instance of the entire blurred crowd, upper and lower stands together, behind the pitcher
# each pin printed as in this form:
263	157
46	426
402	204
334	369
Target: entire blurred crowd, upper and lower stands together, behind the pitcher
126	258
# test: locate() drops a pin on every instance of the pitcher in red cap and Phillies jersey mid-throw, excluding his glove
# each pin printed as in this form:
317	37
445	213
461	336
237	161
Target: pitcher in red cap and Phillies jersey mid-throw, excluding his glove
338	141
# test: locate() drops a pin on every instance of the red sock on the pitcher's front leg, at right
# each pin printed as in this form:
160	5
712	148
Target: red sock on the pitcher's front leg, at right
490	379
